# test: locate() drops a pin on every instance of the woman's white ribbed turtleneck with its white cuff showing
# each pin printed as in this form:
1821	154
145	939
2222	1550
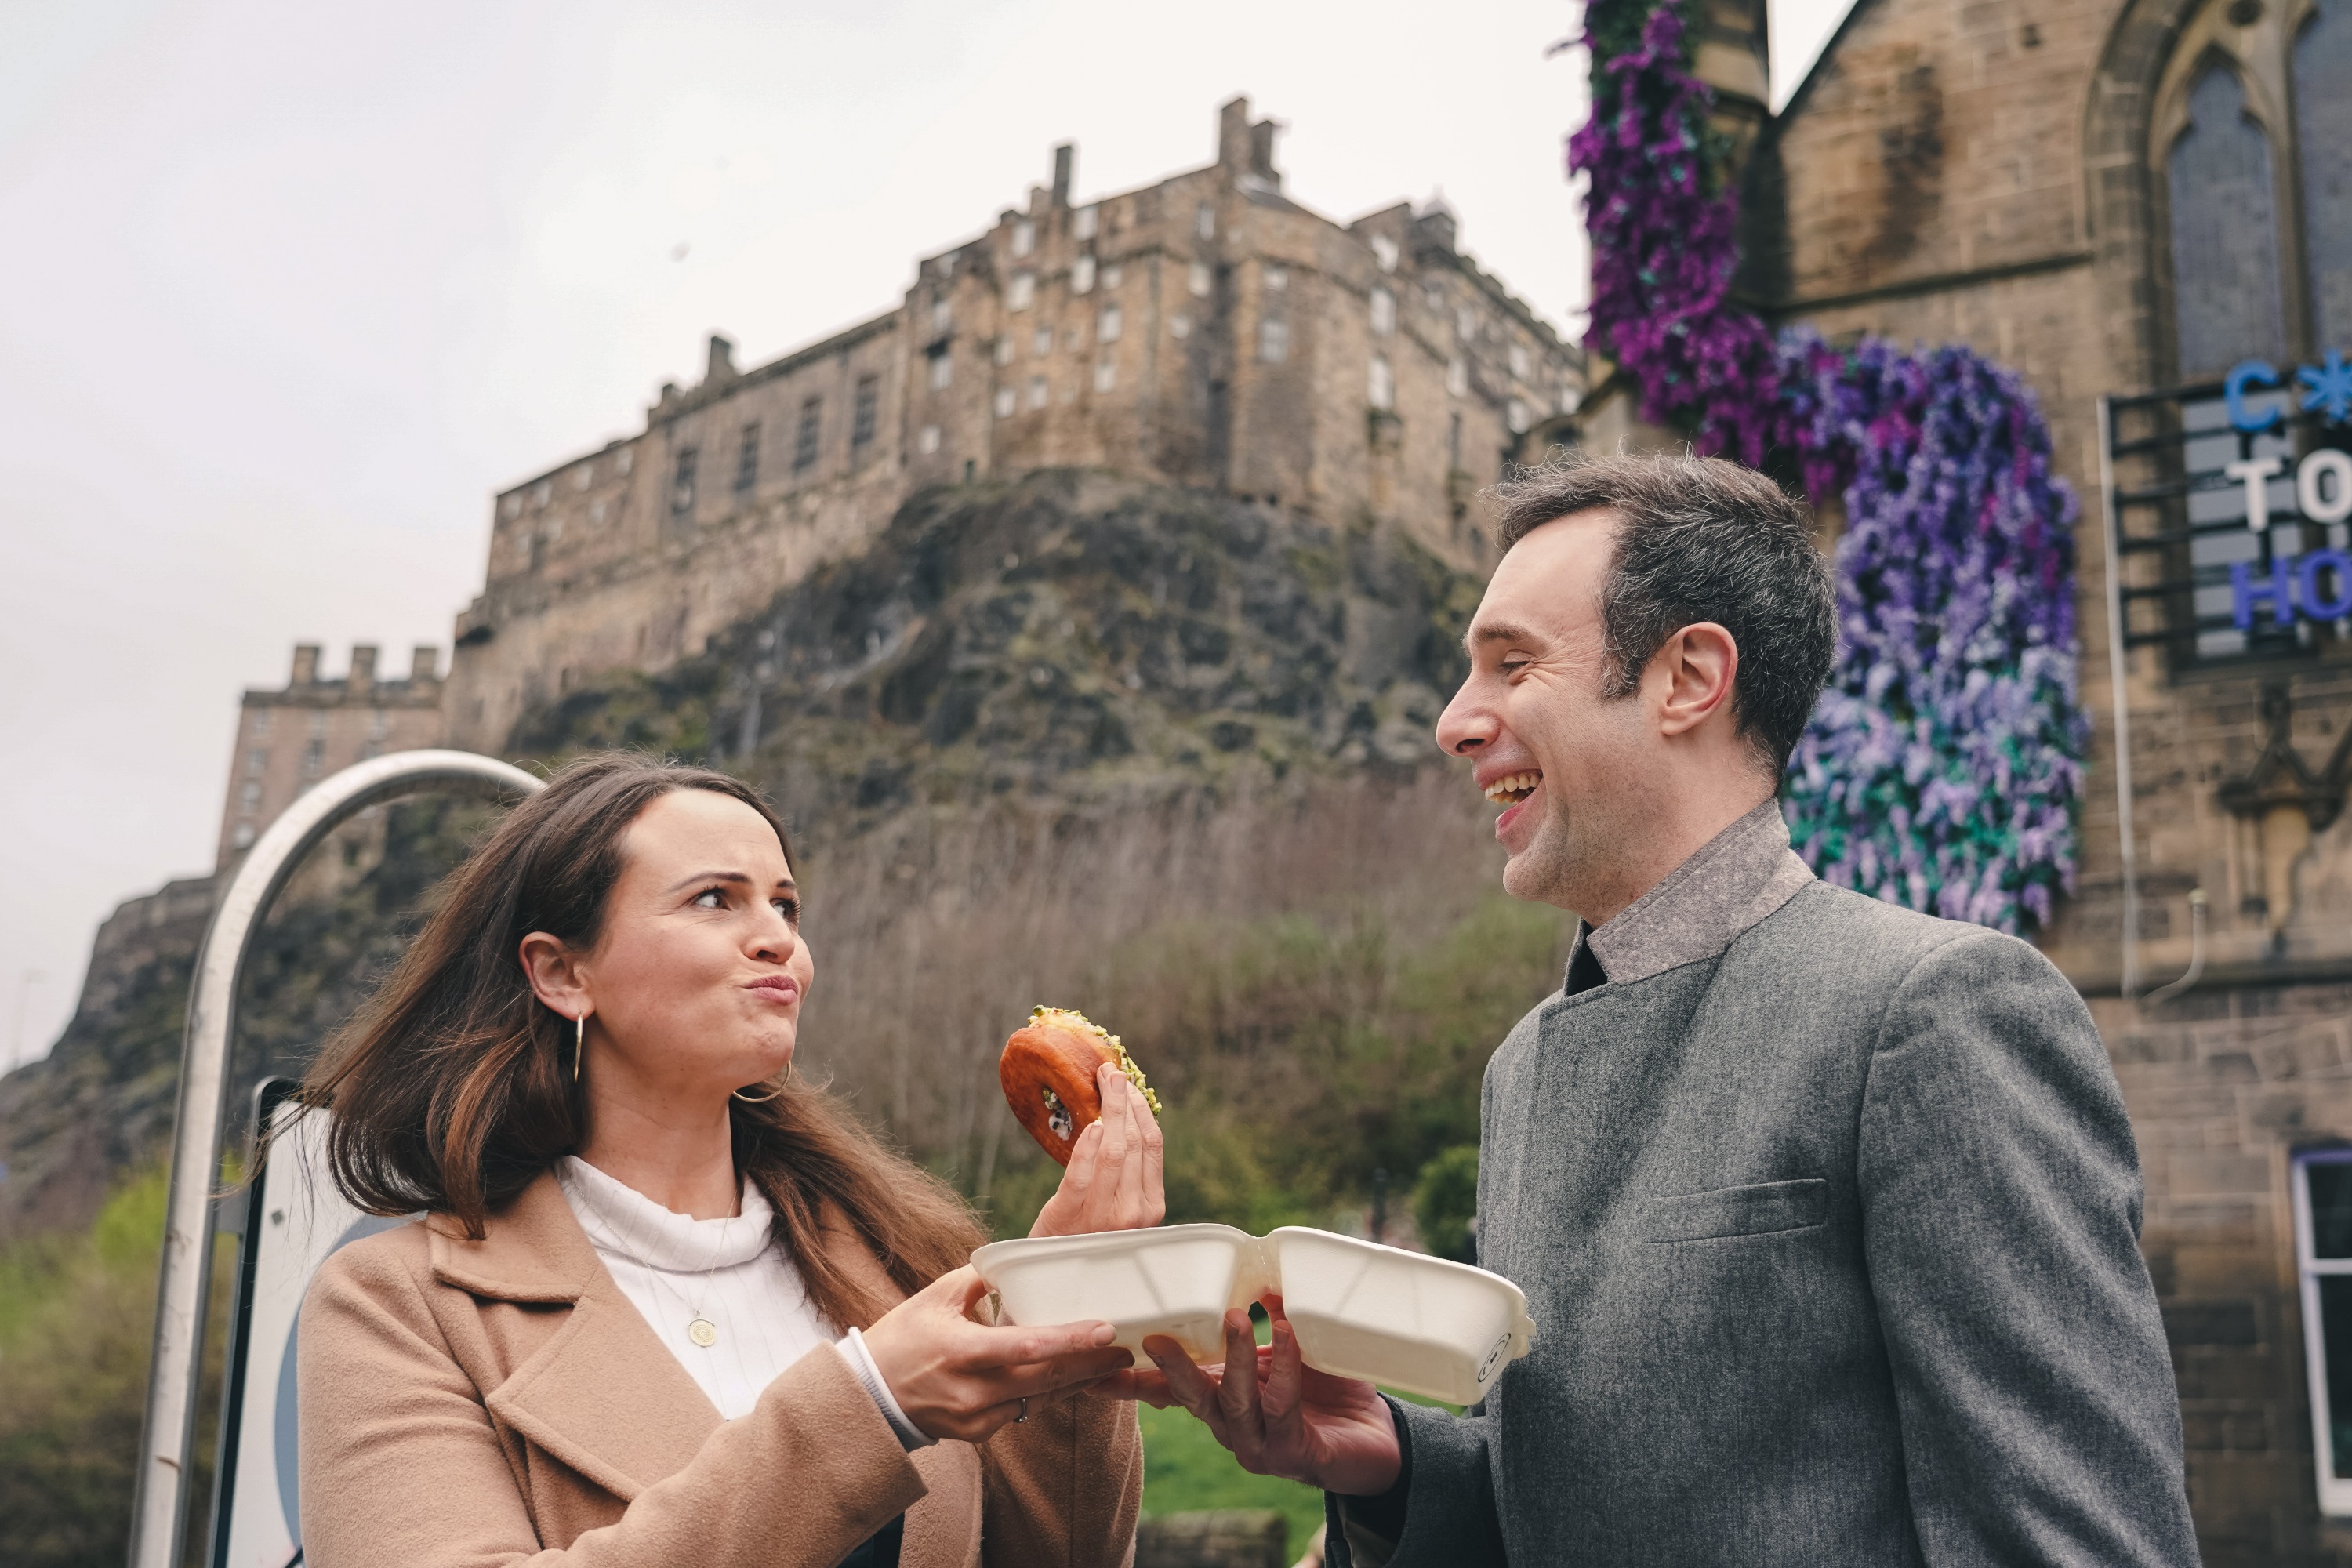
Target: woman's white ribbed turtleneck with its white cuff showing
733	1273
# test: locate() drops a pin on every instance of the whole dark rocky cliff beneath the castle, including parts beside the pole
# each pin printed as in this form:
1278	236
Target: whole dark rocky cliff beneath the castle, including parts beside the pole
1069	645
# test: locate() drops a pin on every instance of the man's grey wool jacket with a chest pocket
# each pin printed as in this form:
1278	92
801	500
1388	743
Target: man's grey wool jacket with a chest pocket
1831	1235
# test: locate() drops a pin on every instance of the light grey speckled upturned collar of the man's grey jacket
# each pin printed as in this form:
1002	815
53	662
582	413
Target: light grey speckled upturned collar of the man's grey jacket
1737	878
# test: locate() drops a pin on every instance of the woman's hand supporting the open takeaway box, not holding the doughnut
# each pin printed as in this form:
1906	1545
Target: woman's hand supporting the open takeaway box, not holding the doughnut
963	1379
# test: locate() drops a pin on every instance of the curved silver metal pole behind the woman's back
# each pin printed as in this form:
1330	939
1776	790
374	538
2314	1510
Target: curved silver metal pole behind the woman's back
203	1087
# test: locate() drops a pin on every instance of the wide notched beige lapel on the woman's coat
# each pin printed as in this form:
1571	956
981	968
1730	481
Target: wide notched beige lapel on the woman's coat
603	1393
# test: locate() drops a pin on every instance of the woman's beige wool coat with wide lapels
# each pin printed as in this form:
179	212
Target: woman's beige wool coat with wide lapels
500	1402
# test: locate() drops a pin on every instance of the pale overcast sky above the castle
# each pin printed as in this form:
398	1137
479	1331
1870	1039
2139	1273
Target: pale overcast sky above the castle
290	290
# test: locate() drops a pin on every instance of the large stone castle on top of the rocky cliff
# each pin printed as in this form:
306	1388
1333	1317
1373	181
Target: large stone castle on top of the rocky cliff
1203	333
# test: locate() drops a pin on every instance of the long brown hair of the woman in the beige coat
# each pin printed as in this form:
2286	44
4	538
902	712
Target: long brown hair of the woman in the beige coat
453	1090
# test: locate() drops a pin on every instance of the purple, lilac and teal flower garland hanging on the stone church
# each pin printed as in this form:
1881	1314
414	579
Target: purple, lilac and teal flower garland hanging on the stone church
1944	765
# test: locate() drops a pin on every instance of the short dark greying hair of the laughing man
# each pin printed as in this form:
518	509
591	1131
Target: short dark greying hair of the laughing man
1699	540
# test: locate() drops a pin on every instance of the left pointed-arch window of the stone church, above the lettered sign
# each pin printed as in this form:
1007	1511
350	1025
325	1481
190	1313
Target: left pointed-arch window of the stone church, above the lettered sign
2226	232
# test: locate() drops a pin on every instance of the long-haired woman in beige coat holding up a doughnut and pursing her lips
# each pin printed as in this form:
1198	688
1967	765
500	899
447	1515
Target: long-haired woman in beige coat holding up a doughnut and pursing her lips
671	1306
